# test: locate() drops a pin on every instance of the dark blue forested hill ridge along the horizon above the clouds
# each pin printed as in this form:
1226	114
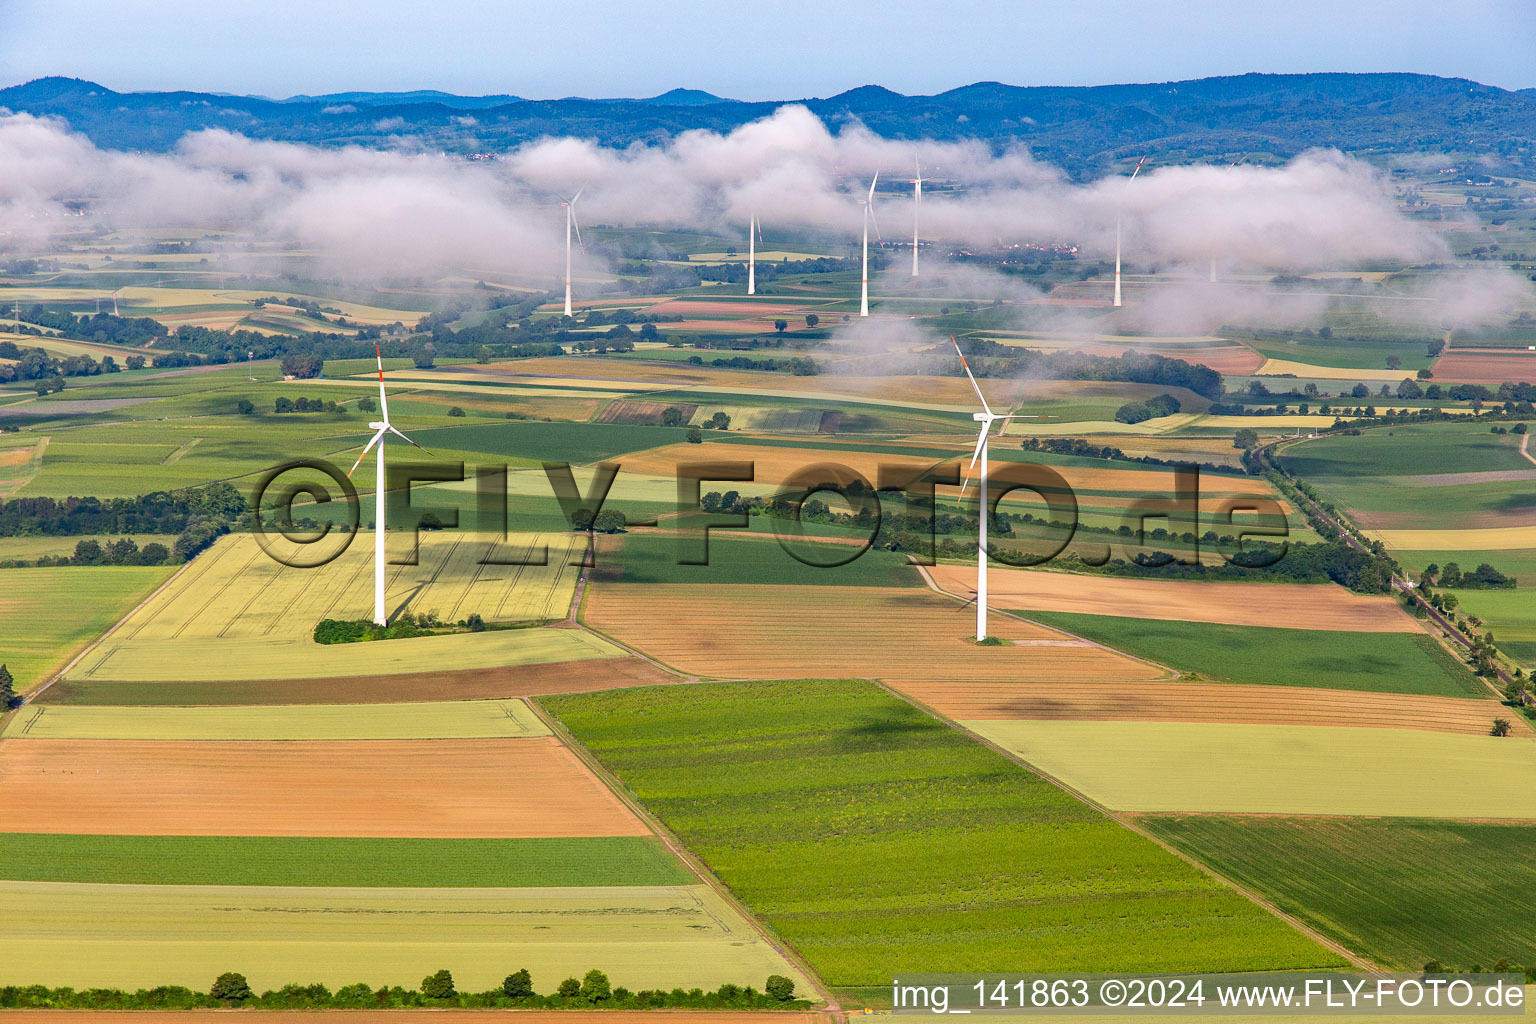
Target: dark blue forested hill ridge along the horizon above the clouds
1084	130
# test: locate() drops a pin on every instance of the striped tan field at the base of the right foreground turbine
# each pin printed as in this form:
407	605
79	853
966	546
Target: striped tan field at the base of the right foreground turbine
839	632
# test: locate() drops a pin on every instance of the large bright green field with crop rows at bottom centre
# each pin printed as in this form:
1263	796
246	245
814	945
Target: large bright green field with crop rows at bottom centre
878	841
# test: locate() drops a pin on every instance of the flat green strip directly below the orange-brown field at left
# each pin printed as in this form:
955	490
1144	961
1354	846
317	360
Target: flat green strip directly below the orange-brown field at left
254	860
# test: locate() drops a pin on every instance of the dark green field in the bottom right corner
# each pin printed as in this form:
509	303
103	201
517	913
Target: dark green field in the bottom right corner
1399	893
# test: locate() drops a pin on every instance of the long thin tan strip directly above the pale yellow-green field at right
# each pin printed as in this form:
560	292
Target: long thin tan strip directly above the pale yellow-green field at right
1199	702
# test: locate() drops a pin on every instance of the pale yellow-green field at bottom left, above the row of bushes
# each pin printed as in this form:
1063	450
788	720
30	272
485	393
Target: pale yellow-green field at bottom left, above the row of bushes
81	934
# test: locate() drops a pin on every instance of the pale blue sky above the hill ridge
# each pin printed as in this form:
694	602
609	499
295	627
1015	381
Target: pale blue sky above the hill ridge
764	50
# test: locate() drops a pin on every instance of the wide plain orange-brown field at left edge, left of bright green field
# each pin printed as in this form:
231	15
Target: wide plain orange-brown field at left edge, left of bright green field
363	788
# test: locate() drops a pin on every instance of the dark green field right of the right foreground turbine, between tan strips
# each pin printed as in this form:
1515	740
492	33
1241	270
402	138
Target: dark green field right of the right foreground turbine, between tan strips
1380	662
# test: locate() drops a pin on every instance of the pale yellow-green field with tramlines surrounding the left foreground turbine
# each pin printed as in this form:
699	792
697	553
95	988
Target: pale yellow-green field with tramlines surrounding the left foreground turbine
237	615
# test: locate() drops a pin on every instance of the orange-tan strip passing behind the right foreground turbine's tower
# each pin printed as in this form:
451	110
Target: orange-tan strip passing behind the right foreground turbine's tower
1289	606
